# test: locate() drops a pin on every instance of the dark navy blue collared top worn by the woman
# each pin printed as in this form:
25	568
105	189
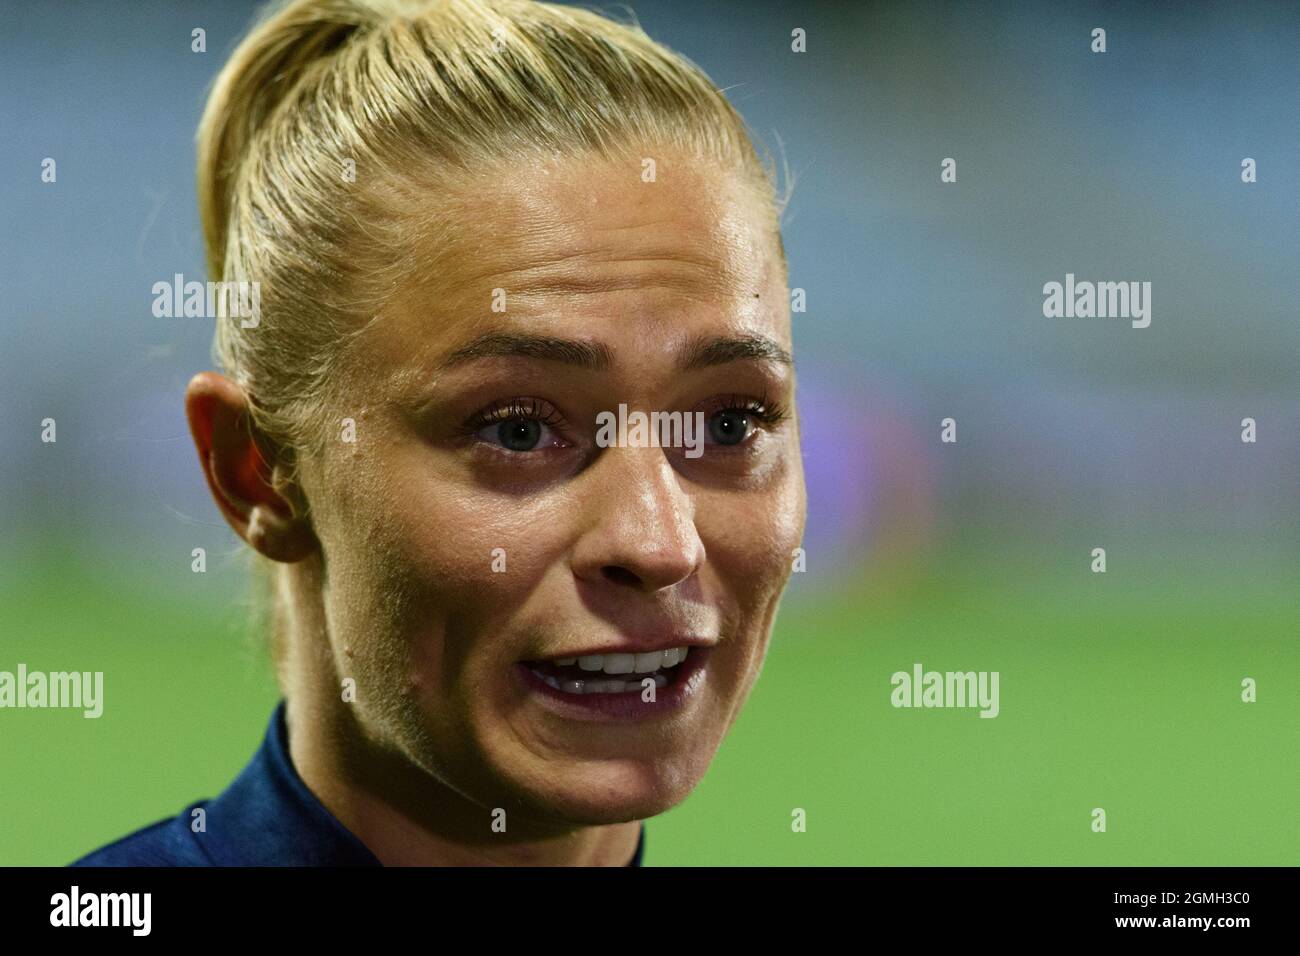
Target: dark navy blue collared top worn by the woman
267	817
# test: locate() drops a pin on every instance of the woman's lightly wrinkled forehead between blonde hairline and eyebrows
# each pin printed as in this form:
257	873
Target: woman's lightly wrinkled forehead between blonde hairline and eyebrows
593	249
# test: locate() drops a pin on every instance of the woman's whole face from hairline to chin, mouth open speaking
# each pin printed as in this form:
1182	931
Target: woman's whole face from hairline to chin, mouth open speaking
478	538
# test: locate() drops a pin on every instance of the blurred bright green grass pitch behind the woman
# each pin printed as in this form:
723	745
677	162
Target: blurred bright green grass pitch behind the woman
1115	694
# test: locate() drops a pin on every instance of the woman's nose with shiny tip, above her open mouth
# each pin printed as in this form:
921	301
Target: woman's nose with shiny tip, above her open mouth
642	525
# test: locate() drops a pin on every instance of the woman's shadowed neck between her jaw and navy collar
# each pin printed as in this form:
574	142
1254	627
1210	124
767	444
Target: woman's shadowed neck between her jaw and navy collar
404	815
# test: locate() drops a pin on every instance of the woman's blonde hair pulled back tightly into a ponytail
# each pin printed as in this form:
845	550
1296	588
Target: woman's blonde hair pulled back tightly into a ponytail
415	96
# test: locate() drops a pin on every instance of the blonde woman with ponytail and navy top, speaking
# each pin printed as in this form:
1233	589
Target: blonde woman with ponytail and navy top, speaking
505	634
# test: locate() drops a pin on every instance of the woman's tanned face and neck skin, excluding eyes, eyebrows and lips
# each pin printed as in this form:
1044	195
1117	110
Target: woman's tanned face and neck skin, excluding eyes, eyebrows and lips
599	543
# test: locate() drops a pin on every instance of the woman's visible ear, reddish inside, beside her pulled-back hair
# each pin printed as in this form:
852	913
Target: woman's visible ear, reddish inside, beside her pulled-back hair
249	491
